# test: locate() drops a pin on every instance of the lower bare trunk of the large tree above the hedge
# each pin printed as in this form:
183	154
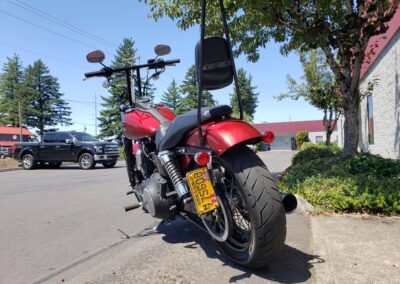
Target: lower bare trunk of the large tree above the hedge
351	126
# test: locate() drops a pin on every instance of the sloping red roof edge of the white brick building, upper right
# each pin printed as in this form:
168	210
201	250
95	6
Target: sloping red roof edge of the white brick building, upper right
379	42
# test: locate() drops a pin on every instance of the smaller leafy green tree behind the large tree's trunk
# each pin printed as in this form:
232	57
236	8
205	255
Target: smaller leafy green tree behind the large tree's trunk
319	88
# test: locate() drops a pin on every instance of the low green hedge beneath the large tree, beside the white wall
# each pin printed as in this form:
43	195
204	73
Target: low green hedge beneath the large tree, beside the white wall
364	183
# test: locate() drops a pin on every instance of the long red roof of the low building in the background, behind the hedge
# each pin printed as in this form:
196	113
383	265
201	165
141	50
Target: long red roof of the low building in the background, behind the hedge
291	126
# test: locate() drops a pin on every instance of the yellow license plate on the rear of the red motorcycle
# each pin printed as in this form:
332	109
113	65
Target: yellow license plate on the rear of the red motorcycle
202	190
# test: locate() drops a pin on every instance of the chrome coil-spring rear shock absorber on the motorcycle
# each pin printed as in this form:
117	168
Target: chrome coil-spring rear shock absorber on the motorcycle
168	161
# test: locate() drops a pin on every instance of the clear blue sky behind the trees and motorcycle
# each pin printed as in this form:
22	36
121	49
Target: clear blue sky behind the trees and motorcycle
113	21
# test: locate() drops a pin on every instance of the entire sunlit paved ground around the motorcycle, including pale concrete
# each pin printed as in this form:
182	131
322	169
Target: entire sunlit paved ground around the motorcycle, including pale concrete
68	225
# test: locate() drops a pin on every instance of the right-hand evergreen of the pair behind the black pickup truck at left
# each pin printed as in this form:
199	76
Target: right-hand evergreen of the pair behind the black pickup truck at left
46	108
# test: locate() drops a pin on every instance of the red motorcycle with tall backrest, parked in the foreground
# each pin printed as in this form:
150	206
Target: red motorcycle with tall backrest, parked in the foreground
197	165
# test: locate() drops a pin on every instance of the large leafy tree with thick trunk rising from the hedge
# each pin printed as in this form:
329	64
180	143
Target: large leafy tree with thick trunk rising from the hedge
342	29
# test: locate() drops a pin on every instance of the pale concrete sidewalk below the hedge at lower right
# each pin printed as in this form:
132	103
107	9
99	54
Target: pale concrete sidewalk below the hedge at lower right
357	249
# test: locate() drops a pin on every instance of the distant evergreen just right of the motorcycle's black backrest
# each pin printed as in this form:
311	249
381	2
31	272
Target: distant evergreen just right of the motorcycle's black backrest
248	94
